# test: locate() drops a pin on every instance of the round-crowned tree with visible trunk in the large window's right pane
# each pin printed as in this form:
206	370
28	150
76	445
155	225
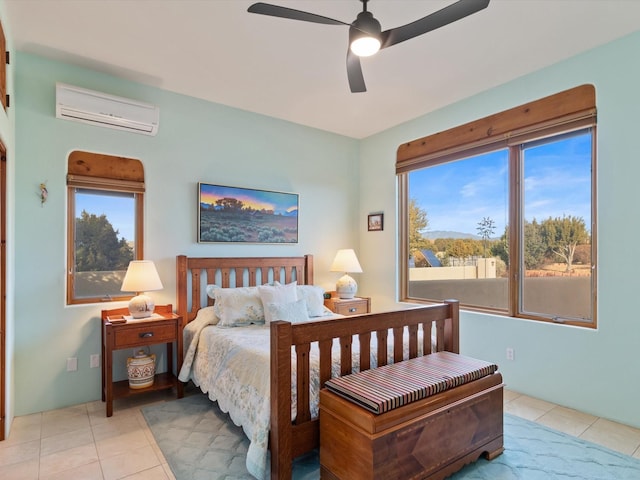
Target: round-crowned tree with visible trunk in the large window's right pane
563	235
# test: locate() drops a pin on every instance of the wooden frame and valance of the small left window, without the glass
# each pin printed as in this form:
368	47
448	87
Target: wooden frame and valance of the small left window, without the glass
93	171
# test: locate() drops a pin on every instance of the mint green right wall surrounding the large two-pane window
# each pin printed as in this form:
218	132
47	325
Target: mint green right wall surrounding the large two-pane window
591	370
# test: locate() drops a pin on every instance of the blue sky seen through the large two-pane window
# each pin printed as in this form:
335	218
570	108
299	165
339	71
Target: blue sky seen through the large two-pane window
458	195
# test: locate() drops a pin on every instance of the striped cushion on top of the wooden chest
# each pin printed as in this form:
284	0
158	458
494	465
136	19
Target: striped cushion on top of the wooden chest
391	386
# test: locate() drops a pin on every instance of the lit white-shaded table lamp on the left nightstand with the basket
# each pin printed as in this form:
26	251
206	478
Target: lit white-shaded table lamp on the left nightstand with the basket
141	277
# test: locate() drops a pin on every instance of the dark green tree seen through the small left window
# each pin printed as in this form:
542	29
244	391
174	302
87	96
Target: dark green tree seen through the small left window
97	245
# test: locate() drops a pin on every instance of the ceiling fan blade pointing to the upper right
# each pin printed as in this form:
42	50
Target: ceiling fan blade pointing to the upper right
447	15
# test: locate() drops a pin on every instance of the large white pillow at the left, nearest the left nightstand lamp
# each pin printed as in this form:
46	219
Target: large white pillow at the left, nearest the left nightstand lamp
236	307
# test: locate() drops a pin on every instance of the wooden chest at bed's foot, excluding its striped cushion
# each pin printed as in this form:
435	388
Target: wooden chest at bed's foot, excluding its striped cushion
426	439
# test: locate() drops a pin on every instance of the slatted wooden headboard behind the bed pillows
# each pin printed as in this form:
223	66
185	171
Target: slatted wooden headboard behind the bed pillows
193	274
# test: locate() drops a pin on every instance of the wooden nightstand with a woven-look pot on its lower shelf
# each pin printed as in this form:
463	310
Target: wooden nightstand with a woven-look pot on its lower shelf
163	327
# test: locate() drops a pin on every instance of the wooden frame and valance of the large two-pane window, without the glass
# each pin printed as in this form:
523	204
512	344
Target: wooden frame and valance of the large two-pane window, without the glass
567	111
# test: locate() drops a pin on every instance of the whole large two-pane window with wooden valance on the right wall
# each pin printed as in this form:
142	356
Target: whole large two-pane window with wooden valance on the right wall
504	219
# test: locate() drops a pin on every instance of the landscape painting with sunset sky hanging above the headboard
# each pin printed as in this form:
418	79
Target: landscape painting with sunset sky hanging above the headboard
244	215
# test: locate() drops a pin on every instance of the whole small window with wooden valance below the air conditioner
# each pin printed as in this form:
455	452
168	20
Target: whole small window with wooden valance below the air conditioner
104	225
